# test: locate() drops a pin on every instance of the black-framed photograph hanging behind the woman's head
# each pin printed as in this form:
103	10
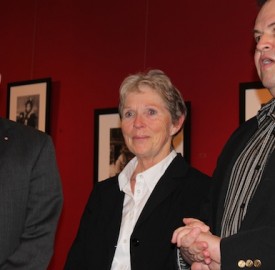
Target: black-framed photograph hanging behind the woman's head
110	151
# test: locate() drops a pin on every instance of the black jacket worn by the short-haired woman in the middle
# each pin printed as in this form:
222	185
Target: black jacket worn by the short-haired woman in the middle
179	193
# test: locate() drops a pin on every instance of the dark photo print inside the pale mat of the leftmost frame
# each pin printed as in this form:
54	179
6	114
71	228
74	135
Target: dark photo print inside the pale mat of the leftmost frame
27	110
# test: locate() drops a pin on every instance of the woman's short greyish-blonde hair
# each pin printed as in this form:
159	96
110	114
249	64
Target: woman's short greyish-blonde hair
160	82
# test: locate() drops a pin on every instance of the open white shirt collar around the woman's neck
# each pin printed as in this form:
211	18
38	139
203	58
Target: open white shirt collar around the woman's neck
151	175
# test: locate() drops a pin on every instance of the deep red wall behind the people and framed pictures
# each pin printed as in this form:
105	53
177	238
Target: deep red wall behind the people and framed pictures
88	47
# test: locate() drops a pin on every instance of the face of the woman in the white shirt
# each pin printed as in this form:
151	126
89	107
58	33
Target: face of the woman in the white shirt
146	125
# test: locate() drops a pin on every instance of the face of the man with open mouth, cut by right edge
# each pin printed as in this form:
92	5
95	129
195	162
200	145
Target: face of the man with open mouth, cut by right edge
264	33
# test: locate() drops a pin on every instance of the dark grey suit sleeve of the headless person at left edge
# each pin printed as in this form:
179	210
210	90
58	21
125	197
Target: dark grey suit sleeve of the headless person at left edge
42	213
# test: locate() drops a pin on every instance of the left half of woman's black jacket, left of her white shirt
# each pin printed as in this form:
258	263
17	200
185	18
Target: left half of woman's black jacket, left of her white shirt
94	244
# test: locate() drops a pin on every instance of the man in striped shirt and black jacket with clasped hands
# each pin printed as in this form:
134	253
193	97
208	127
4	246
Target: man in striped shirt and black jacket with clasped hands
243	195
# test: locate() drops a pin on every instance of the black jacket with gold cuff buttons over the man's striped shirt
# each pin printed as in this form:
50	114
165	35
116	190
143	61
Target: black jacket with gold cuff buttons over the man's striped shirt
256	238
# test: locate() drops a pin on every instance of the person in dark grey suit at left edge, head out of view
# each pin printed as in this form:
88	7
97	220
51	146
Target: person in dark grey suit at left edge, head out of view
30	197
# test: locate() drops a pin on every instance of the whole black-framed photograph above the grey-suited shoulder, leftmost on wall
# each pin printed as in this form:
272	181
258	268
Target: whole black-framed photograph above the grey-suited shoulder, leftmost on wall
28	103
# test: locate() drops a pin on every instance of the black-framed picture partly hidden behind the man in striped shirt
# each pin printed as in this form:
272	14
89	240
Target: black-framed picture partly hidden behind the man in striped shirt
253	95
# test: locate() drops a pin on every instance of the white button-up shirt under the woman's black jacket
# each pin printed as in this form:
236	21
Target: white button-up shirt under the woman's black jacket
134	203
